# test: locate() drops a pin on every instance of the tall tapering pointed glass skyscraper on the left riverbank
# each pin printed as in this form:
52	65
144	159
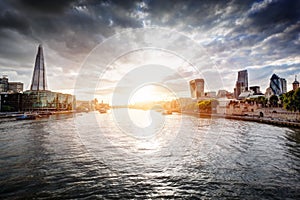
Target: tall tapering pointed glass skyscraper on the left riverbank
39	73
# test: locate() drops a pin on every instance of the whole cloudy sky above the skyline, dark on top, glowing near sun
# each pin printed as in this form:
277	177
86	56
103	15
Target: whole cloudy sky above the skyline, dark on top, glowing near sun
106	47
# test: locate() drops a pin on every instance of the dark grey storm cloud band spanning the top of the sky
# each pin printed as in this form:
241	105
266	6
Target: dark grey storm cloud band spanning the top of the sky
86	18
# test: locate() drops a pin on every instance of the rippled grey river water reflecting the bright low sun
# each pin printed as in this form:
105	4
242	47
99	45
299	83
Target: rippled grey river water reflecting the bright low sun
110	156
